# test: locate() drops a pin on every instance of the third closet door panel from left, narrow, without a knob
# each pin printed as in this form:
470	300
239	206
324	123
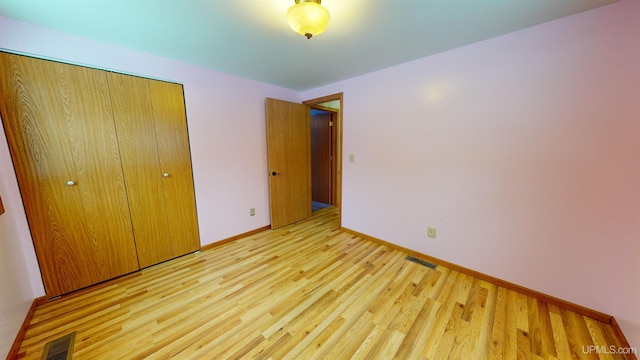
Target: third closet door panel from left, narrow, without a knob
133	115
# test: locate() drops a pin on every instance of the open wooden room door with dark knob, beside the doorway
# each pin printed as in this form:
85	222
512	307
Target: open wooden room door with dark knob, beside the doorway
289	162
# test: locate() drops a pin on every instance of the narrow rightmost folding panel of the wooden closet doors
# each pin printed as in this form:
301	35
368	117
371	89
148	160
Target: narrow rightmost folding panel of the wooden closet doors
175	160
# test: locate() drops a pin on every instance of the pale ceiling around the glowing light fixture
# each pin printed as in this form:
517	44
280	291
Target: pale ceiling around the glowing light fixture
251	38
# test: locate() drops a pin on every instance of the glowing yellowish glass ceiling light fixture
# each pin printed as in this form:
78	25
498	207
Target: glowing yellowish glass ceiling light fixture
308	17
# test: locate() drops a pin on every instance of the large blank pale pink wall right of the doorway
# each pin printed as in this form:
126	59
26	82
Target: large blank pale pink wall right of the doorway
523	151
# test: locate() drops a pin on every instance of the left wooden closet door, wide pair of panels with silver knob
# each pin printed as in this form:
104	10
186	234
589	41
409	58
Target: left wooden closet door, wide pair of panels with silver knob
60	130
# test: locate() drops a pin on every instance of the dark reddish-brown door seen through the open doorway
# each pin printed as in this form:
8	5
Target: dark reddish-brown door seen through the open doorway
321	157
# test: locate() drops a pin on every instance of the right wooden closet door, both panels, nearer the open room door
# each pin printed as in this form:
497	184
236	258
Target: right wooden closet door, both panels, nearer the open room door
151	124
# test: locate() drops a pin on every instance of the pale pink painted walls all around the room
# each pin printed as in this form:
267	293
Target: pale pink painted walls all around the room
521	150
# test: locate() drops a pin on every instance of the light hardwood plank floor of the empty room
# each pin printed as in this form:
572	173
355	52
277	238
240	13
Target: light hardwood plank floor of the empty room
310	291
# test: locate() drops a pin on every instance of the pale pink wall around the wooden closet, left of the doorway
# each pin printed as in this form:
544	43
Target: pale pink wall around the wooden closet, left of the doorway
228	144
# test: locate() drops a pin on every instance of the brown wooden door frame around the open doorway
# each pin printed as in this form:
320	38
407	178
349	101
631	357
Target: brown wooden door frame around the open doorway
338	122
